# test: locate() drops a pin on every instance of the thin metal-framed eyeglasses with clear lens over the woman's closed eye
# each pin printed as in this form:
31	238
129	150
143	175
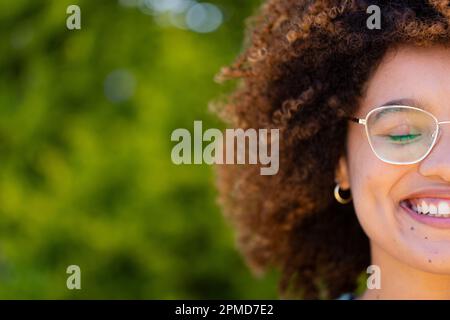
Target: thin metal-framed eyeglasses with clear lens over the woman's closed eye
401	134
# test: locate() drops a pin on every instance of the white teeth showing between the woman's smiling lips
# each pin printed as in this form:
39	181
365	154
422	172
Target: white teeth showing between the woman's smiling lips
437	208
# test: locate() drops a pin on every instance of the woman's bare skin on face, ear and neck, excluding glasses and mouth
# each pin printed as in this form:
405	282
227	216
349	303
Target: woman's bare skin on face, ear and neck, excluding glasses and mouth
414	258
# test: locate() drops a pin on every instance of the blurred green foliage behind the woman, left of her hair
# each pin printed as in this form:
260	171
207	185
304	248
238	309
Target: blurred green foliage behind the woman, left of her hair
86	176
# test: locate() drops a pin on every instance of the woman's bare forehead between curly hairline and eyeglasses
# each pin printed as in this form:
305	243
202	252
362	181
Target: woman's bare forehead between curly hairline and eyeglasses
418	75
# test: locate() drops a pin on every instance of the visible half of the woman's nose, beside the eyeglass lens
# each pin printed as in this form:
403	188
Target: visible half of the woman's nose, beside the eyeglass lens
437	163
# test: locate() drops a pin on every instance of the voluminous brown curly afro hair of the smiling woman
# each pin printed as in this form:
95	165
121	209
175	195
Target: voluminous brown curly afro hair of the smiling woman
303	70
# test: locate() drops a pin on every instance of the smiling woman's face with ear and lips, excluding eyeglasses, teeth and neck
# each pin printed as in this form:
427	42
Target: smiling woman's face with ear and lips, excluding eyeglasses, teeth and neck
419	76
